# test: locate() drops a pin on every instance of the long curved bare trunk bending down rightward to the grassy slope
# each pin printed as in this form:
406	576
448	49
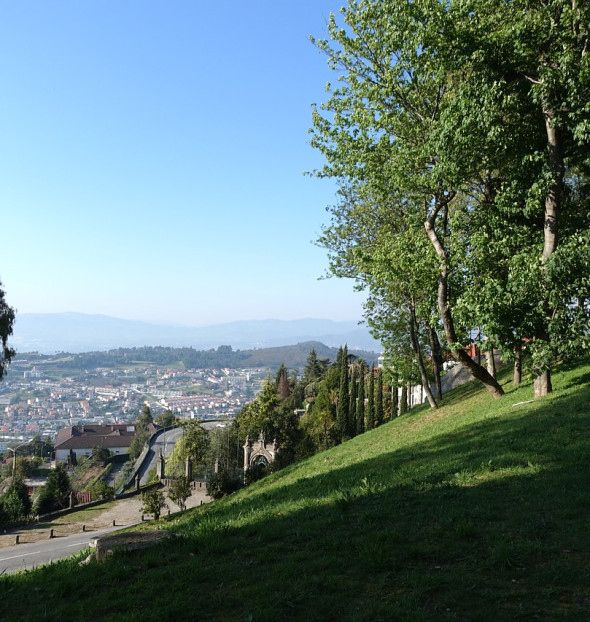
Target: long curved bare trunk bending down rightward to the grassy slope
458	353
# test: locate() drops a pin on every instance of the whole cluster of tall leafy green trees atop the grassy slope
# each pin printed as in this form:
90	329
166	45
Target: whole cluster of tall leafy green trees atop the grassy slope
459	134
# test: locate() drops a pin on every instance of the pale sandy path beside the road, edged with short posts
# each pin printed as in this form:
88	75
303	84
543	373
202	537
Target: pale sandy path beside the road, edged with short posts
122	513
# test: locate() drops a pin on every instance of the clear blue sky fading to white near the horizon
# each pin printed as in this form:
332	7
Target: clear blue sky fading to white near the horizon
152	156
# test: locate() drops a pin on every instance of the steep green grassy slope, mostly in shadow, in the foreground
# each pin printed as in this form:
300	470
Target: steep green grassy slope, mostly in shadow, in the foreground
478	511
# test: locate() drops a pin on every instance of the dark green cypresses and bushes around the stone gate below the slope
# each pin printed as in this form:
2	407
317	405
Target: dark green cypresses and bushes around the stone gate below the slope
329	403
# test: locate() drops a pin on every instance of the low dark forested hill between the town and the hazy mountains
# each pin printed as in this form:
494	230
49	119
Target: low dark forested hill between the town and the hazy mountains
293	357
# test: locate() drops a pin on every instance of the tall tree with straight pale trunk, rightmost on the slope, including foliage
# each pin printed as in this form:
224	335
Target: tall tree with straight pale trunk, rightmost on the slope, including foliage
539	52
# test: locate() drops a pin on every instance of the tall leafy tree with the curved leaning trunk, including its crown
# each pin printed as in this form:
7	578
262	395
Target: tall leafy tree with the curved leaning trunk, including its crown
381	127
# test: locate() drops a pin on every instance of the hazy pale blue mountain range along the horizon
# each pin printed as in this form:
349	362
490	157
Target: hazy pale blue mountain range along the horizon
48	333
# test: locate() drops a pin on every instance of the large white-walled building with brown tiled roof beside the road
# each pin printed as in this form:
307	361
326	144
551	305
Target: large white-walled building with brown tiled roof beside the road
81	439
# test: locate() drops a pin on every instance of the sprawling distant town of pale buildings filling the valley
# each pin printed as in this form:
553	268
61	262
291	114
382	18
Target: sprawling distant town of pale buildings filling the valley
40	397
